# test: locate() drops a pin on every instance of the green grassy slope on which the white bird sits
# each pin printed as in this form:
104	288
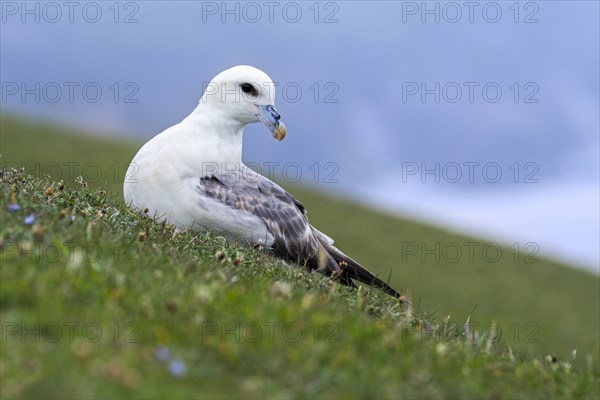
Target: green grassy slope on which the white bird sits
88	260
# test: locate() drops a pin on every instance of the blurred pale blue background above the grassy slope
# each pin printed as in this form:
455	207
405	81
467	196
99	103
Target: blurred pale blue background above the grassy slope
481	117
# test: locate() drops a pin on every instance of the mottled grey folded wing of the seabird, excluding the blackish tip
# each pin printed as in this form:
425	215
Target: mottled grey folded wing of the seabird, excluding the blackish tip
284	216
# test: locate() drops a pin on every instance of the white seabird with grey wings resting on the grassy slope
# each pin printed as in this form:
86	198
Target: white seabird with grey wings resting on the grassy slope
191	175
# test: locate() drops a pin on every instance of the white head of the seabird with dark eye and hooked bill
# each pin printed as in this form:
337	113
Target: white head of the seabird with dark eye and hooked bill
245	94
